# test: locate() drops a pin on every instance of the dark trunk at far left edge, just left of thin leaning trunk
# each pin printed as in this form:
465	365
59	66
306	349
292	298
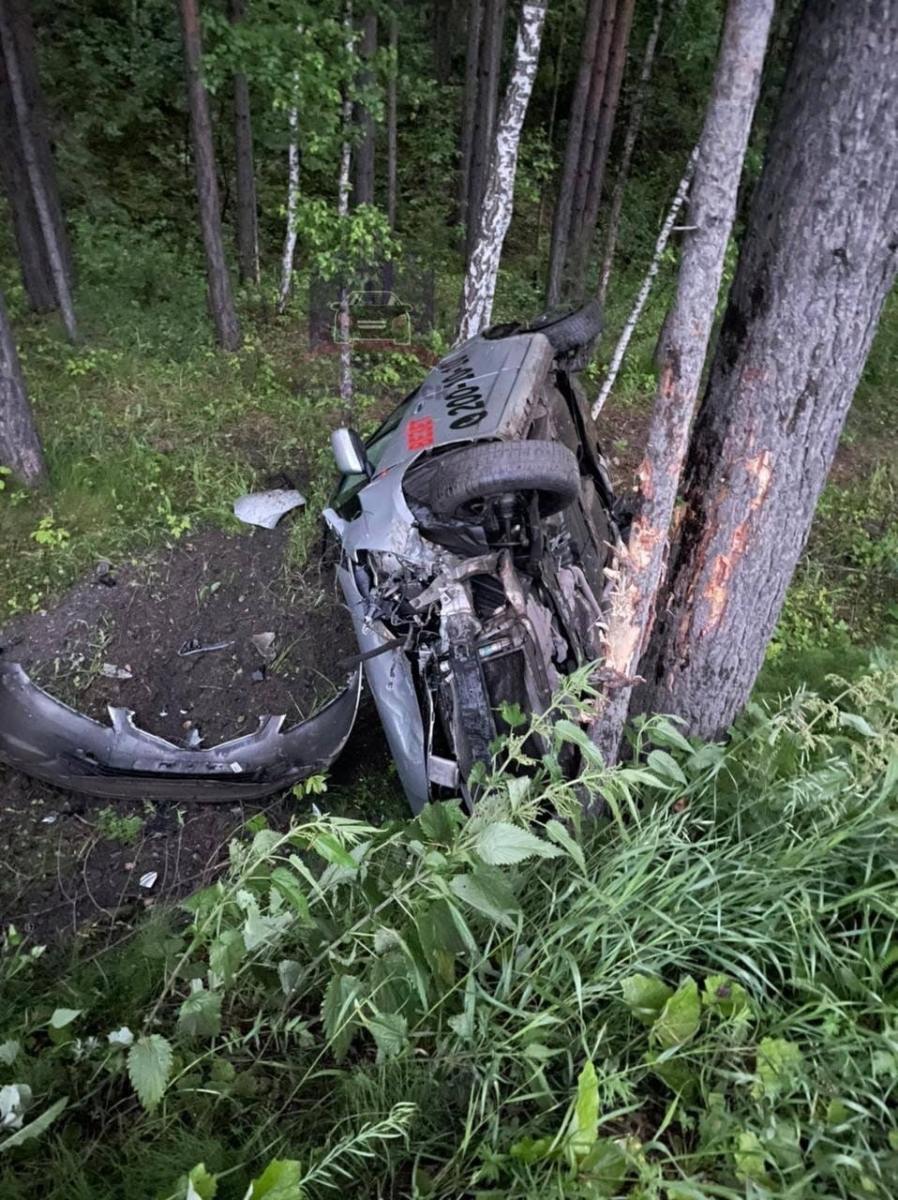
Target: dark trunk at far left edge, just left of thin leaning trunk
34	263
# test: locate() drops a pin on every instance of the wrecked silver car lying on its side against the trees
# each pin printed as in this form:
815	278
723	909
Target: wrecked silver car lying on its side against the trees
476	527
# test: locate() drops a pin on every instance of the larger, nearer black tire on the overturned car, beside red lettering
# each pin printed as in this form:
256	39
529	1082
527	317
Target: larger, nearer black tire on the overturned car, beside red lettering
494	469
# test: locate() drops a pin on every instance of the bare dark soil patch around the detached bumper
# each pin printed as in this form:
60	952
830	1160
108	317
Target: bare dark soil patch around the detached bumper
73	865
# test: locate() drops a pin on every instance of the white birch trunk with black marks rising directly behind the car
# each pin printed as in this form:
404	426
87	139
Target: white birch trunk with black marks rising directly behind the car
483	268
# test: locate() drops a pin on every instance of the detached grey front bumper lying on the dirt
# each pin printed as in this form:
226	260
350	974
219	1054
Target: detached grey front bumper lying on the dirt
46	739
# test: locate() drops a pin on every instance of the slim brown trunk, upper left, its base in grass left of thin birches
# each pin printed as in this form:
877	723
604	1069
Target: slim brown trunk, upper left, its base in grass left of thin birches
217	269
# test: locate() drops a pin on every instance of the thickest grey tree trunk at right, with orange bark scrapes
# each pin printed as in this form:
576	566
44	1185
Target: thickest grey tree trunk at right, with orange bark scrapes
817	262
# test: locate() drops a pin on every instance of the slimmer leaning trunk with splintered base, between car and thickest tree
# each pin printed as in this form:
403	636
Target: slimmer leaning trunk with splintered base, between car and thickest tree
722	151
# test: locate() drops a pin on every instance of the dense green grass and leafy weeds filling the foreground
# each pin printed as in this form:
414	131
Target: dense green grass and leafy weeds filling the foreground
693	997
